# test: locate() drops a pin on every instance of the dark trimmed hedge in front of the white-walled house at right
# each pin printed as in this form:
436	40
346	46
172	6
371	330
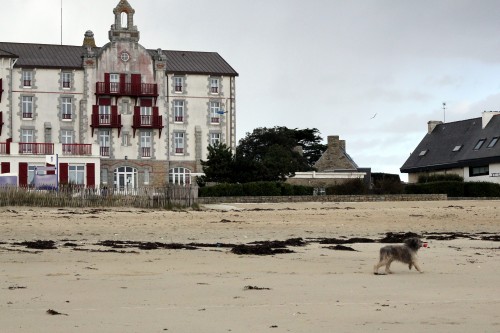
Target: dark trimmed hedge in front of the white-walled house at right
455	189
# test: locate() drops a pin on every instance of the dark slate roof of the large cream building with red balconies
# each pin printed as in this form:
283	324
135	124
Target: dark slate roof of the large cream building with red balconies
70	57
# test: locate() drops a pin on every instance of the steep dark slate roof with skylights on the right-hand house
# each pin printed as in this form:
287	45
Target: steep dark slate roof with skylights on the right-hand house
440	143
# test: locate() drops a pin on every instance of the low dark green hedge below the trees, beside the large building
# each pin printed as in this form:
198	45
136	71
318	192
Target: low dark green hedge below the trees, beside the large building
254	189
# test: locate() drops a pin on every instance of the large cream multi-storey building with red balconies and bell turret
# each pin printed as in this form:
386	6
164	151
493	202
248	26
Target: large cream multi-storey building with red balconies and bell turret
119	115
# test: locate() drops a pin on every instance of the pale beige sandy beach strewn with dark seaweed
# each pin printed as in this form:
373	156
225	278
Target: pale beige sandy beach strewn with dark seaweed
97	288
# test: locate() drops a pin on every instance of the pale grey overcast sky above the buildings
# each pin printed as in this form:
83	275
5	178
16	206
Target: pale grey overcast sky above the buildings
373	72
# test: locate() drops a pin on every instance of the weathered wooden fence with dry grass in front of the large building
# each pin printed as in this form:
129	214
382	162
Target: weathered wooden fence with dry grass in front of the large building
167	197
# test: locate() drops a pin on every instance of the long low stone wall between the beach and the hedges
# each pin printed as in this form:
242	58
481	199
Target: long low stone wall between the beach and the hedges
324	198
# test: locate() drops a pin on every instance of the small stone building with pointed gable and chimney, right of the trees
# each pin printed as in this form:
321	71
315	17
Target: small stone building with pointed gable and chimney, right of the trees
334	167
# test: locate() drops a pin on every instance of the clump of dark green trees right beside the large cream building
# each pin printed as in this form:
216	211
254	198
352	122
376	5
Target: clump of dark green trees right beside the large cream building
266	154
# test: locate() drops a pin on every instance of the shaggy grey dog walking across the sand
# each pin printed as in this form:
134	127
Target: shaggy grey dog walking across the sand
404	253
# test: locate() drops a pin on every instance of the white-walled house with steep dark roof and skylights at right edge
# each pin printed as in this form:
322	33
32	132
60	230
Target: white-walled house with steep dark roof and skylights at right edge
468	148
